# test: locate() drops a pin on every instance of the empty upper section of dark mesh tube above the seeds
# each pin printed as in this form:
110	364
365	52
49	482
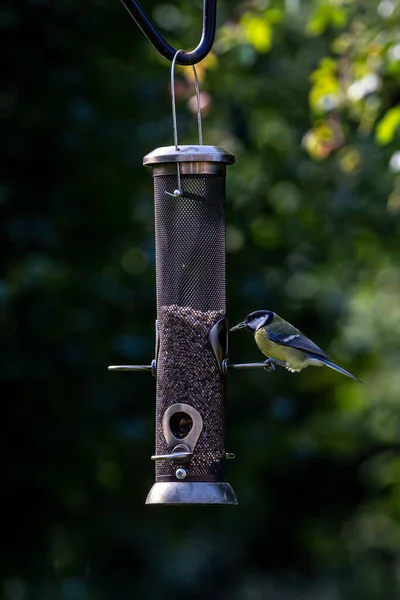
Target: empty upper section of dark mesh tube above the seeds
190	242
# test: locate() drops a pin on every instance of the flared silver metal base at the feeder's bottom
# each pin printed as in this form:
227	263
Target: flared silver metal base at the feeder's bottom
177	492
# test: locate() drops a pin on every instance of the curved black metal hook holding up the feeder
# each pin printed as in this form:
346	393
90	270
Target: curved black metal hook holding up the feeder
160	44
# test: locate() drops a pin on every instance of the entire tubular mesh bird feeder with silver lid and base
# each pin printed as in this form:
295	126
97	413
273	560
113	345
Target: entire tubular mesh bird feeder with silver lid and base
189	198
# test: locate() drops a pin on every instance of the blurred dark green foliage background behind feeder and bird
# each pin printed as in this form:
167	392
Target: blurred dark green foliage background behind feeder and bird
306	94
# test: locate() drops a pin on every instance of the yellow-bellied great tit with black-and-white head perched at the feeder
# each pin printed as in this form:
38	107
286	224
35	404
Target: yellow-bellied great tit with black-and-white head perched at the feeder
285	345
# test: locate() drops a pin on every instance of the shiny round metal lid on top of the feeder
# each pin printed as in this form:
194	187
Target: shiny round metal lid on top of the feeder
195	153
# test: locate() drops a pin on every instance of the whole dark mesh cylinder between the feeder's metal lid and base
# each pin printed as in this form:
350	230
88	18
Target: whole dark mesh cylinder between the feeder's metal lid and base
190	263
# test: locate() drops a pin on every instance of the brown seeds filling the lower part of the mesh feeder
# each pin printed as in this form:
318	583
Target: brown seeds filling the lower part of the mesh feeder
188	373
